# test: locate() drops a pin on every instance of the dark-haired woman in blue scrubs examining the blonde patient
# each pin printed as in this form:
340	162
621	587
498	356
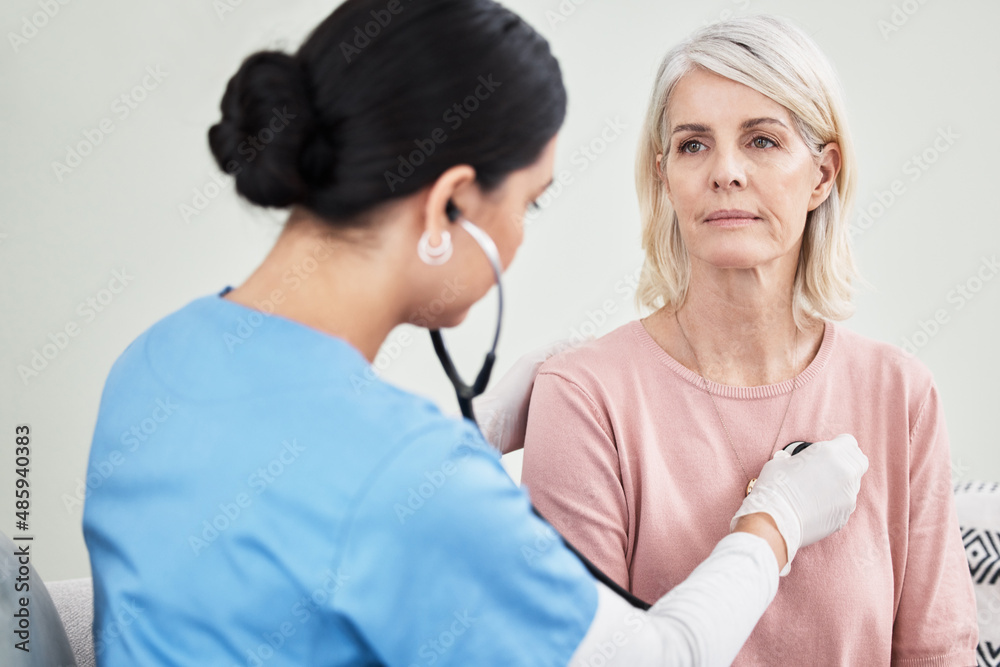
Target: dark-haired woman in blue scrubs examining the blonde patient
273	501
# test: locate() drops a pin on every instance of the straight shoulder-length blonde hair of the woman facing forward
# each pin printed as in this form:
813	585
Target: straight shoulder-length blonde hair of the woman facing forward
778	60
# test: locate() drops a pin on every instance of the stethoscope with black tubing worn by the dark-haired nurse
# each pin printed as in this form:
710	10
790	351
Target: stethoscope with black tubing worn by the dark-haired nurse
466	392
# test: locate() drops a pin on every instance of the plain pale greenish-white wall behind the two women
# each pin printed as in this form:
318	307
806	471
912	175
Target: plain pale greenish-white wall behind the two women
911	70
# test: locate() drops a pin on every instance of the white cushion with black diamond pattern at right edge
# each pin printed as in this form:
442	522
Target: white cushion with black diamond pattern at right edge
978	505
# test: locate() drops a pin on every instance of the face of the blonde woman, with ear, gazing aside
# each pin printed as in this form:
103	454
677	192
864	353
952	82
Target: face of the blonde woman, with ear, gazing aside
738	174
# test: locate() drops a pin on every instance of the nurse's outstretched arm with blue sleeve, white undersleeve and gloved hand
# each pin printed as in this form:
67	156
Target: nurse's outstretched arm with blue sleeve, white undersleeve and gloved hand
442	534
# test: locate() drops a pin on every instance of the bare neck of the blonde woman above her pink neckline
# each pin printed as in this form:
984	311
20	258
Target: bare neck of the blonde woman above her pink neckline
739	328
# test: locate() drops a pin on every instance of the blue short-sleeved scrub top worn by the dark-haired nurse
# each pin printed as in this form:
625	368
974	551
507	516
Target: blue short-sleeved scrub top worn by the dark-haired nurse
257	496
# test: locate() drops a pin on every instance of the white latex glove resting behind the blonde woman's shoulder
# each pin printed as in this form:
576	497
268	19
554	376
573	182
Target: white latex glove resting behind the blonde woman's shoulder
502	411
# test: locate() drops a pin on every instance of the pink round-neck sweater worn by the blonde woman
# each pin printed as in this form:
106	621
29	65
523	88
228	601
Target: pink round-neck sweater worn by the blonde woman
625	455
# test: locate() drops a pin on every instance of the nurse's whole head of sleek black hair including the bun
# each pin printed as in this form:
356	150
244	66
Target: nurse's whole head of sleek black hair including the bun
382	98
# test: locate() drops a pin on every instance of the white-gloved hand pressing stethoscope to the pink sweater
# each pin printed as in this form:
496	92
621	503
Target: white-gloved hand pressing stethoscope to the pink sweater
809	495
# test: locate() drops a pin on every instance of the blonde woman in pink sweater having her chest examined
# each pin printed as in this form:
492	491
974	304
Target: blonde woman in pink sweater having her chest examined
745	176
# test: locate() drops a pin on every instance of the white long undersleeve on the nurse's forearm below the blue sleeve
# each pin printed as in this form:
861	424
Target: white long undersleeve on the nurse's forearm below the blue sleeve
703	621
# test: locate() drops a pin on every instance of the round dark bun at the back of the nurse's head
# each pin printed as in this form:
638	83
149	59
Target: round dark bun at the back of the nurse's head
267	123
